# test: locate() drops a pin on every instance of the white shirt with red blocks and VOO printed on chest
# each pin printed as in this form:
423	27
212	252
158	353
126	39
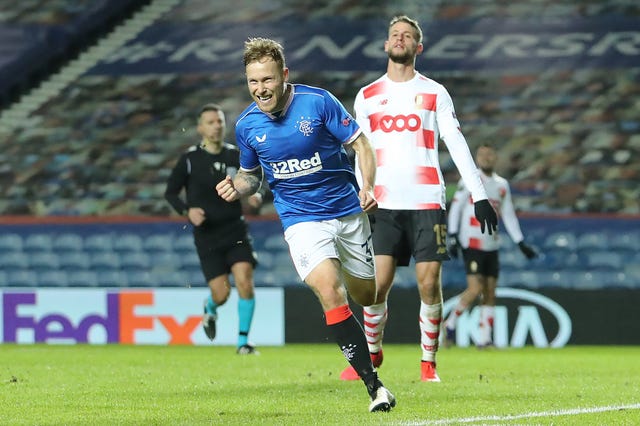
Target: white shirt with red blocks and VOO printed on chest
404	121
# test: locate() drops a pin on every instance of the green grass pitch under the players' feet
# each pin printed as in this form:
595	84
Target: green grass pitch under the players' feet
299	385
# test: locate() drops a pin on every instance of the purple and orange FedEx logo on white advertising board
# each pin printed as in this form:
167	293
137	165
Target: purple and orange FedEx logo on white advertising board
120	320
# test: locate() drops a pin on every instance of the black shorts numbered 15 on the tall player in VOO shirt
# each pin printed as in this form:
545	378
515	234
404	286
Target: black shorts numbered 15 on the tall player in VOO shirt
406	233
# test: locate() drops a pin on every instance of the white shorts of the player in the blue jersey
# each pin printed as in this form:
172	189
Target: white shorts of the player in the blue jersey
347	239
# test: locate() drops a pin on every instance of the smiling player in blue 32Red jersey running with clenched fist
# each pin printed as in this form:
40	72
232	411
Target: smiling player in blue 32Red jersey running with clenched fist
296	136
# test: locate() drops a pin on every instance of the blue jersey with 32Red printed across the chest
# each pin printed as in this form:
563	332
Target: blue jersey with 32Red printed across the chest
302	154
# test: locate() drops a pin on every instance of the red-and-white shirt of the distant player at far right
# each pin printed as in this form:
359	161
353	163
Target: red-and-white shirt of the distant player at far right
462	219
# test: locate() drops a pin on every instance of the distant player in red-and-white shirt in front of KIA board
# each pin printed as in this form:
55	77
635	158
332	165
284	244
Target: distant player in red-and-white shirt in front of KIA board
479	250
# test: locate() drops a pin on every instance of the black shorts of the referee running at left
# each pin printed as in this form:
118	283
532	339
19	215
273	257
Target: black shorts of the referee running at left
219	249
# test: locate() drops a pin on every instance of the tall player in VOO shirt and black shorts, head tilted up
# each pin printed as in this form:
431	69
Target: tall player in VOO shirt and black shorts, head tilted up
405	114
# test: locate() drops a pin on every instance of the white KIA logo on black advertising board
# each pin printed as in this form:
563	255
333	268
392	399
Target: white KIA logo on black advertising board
526	324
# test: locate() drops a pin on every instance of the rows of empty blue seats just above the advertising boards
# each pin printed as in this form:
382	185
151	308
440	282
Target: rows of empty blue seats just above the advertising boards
138	263
